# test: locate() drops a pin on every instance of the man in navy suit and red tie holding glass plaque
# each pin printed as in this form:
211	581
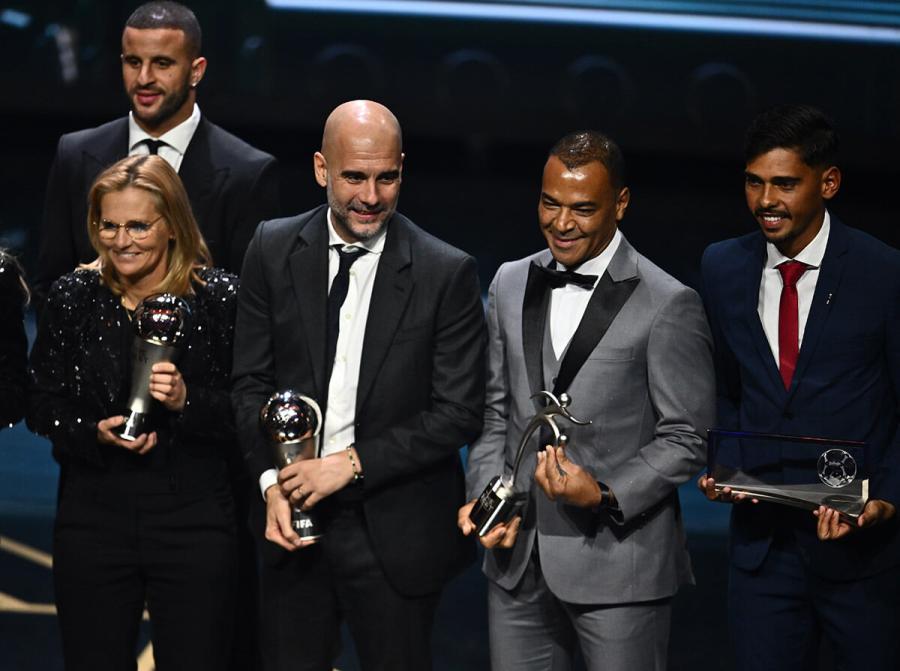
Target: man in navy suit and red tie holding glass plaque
806	320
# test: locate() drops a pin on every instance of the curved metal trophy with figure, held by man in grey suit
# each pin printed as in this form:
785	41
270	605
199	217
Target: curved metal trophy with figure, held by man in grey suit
500	501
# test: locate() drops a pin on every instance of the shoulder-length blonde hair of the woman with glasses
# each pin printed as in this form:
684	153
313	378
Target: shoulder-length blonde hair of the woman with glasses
187	251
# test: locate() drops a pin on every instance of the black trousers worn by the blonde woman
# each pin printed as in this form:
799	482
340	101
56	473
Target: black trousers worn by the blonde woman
115	552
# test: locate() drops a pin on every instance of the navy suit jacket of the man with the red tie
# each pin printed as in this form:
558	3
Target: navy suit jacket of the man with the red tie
845	386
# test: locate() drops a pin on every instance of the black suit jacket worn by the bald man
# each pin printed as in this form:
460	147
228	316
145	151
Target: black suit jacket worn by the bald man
421	384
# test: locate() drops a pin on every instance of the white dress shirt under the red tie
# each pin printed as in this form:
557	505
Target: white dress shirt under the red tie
771	284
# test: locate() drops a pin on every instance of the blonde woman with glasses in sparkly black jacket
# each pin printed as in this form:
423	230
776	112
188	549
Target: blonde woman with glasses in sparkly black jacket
148	522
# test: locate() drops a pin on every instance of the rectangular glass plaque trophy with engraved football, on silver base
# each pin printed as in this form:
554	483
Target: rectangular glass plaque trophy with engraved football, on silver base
800	471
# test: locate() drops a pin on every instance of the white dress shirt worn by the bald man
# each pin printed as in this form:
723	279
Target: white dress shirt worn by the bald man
340	416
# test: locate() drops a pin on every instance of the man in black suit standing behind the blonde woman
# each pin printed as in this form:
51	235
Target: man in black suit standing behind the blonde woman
232	186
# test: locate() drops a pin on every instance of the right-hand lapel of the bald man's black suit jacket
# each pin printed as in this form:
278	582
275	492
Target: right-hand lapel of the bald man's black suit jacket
390	295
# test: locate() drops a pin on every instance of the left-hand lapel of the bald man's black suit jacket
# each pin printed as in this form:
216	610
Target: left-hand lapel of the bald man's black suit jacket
309	276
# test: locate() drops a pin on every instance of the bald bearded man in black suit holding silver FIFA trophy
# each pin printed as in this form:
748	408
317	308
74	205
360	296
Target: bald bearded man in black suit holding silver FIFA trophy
354	305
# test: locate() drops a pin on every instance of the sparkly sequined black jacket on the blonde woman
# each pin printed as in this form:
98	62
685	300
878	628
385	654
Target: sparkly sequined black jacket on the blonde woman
80	373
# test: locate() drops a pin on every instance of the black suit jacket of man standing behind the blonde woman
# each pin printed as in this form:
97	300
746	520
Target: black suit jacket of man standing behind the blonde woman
231	185
